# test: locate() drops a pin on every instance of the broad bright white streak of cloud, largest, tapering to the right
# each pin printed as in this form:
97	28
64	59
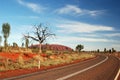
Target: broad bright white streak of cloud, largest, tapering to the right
79	27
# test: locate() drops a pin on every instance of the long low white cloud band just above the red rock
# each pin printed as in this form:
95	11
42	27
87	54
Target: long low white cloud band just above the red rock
67	40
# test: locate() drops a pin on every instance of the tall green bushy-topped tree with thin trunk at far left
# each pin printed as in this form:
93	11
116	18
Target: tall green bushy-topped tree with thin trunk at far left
6	32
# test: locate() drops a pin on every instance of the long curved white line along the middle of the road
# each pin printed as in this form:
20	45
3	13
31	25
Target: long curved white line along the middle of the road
73	74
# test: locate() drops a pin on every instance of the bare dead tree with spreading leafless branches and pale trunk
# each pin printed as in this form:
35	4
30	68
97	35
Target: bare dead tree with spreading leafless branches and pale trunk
41	33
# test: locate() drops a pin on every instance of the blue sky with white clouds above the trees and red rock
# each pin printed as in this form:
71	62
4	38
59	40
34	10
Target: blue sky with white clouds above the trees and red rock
94	24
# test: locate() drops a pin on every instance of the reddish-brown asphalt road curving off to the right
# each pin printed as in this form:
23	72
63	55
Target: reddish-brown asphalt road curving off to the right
100	68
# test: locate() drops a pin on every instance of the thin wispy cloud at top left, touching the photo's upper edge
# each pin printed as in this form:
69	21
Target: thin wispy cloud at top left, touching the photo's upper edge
35	7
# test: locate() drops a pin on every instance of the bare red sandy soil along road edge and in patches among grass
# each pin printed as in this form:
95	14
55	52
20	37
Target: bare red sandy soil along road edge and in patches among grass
12	73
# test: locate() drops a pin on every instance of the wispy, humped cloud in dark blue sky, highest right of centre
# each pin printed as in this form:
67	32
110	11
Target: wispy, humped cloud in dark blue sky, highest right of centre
75	10
